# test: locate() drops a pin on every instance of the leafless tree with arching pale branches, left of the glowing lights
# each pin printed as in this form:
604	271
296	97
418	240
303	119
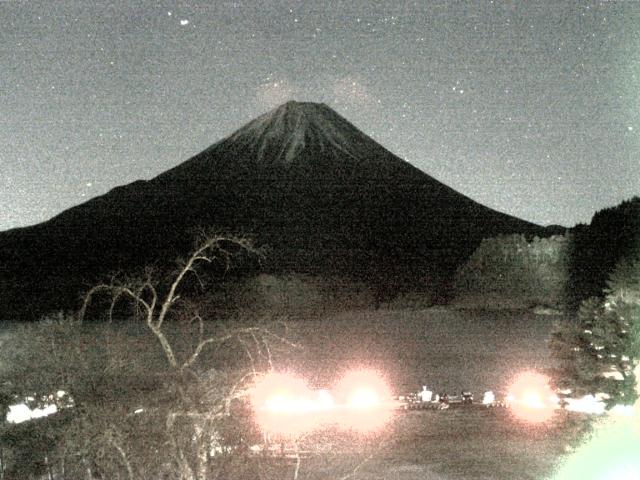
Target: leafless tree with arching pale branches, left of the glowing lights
192	422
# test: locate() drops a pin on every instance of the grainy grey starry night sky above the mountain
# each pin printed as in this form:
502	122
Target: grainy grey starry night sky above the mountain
531	108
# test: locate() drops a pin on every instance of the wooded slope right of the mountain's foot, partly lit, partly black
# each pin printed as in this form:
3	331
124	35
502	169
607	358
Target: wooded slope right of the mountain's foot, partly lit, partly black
562	270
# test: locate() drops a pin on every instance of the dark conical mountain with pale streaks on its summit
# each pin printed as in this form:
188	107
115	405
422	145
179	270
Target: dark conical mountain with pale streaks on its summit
324	198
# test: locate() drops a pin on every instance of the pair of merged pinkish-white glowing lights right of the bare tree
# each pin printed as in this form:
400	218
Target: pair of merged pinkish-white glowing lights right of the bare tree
284	405
